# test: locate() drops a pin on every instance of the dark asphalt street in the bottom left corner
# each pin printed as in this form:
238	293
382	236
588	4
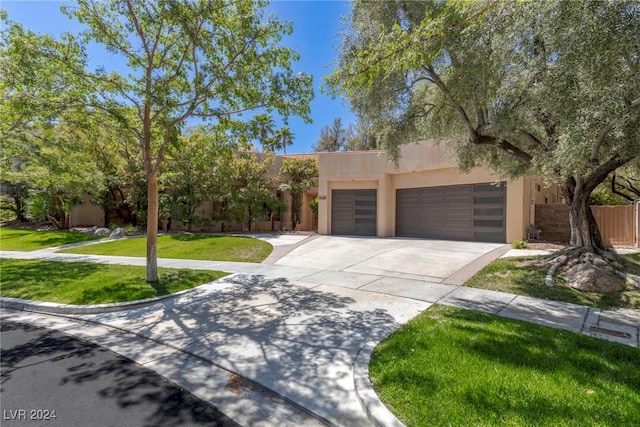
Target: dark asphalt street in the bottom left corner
52	379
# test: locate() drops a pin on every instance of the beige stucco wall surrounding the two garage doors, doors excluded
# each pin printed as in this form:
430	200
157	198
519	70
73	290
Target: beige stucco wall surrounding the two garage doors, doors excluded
420	165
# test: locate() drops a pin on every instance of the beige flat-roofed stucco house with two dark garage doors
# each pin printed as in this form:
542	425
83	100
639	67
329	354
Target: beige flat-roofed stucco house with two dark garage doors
363	193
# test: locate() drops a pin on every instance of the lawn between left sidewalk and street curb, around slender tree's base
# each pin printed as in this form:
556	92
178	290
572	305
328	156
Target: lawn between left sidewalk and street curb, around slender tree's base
90	283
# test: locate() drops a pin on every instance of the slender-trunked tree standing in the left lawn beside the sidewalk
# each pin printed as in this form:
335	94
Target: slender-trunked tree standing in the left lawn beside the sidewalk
198	59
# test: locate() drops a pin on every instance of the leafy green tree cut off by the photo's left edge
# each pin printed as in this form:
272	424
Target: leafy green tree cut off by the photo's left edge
37	88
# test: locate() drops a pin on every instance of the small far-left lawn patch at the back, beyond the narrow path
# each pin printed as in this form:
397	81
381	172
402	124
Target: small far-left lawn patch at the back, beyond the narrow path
17	239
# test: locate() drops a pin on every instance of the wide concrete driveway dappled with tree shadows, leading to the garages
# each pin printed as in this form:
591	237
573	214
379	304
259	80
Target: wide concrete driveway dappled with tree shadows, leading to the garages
297	324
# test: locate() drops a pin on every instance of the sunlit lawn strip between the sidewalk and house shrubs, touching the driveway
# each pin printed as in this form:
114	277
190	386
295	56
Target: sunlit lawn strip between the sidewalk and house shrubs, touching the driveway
186	246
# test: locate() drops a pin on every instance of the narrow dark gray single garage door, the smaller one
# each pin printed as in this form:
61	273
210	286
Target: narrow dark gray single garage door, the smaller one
353	212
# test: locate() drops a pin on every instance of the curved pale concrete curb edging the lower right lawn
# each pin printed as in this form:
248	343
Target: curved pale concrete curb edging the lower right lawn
377	413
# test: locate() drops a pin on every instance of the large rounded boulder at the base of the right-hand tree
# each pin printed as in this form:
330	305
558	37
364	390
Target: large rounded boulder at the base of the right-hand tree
587	277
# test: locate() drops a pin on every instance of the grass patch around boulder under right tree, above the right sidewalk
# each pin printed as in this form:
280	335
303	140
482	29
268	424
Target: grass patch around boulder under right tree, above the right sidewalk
524	276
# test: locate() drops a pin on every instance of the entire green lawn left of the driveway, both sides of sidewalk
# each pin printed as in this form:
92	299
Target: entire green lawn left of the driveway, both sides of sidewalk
91	283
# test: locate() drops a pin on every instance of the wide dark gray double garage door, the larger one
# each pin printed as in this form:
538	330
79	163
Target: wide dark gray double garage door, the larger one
461	212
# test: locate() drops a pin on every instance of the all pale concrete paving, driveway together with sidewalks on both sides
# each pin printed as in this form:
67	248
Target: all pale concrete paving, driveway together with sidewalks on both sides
298	331
